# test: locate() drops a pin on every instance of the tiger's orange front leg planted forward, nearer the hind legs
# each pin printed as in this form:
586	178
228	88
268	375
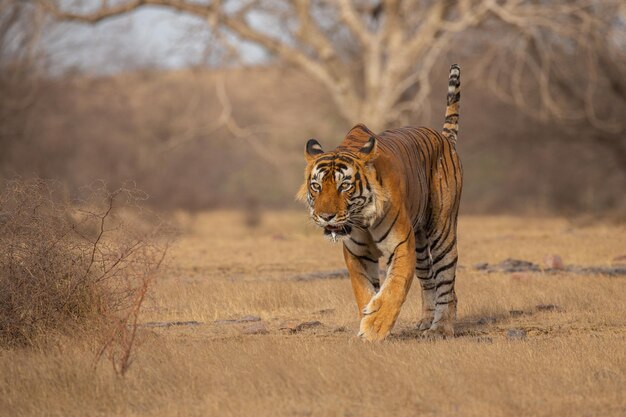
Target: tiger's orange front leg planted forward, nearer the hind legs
381	313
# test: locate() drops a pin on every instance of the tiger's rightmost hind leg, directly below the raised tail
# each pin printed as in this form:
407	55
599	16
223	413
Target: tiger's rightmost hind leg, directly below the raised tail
444	259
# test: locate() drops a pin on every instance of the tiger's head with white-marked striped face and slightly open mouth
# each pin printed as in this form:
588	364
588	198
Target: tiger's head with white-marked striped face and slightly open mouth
341	188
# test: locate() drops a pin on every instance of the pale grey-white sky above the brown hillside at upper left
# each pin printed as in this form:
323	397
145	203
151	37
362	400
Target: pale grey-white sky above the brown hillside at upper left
148	37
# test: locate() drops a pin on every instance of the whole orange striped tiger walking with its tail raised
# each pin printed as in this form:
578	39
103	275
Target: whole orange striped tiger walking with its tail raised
393	196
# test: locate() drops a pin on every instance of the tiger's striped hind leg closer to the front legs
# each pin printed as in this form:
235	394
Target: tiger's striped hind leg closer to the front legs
423	272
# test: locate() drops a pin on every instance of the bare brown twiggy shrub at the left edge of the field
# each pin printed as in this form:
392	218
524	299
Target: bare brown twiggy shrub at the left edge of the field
71	267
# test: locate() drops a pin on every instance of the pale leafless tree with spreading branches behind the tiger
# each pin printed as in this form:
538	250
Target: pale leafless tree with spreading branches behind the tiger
560	60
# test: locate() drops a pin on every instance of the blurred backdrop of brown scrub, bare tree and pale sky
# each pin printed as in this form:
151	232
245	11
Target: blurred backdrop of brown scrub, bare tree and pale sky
208	104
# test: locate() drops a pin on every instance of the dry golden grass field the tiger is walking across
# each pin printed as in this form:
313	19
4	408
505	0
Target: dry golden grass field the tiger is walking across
571	362
